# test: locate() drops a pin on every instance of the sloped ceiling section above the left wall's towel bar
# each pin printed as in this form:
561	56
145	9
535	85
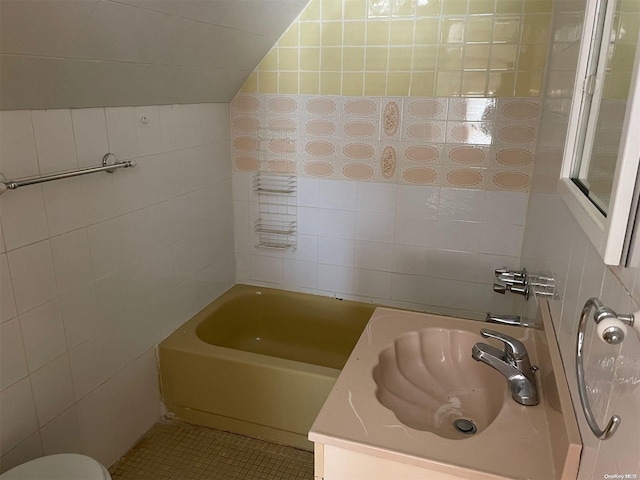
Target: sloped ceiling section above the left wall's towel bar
86	53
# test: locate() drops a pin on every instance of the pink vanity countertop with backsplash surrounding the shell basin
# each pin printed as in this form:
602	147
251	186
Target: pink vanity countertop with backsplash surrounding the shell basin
535	442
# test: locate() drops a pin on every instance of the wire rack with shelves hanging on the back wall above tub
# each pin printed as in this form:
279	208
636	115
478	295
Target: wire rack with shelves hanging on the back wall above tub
277	224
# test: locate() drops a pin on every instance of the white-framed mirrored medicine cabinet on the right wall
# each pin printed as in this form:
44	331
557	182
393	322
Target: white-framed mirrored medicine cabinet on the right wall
602	152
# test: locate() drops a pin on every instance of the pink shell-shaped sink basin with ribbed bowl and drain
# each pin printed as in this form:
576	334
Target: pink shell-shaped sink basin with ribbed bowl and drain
430	382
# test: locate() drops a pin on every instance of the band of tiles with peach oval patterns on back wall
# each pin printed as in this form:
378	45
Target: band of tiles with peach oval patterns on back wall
476	143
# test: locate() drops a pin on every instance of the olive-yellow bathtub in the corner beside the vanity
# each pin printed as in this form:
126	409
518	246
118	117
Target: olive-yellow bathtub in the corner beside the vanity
259	361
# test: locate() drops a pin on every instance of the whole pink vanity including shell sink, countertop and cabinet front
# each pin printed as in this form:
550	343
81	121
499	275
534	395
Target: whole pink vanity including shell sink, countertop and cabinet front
357	438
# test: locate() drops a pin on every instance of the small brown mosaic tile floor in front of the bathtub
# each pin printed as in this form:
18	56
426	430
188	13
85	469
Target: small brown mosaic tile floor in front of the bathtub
174	450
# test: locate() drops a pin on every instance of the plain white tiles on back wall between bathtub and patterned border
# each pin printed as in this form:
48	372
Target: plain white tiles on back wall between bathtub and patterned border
418	247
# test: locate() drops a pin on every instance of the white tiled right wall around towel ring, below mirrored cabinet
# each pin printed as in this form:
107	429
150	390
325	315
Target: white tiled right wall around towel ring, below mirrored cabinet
612	373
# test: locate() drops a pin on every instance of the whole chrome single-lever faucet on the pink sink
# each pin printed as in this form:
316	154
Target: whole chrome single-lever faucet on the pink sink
513	363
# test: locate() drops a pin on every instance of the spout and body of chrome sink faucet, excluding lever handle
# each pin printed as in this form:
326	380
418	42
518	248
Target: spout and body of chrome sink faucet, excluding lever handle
522	384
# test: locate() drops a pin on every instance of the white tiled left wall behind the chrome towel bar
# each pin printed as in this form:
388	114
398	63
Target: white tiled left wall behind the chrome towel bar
95	270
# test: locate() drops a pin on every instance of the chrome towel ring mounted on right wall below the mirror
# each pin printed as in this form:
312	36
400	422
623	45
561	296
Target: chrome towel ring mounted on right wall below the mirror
611	328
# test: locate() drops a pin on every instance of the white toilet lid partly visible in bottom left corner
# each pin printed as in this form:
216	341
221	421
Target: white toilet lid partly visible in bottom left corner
64	466
